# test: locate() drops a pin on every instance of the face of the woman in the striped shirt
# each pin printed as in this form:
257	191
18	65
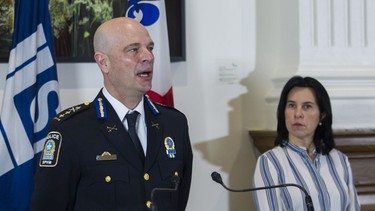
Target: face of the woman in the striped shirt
302	115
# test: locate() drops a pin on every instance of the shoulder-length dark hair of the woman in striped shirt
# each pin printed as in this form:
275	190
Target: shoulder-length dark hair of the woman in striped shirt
323	137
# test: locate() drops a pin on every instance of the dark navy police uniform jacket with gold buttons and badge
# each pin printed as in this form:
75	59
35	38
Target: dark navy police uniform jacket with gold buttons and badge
90	163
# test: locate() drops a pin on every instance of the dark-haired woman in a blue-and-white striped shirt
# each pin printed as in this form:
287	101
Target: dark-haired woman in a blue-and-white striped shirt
305	155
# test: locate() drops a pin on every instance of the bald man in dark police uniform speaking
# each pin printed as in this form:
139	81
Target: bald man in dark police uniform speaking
91	160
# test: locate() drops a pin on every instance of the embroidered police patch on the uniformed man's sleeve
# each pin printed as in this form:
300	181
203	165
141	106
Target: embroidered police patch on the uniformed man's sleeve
51	150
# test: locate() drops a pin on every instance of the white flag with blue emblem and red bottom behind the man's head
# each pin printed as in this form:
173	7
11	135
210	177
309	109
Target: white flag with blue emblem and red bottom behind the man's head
152	14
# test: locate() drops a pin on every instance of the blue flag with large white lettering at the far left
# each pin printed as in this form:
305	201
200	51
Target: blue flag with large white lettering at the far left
30	101
